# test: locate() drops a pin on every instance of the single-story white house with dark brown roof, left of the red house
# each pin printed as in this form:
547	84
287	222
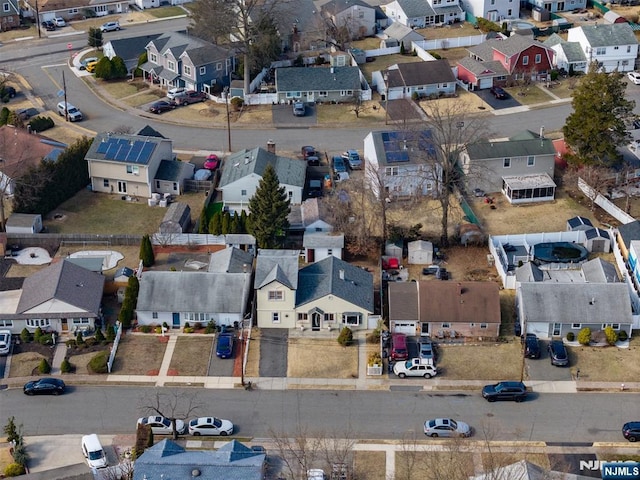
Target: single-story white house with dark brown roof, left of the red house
424	79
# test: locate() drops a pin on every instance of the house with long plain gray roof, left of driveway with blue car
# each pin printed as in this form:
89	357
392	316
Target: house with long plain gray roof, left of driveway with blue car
220	294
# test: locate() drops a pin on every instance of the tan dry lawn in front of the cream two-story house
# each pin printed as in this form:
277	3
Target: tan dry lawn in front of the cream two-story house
321	358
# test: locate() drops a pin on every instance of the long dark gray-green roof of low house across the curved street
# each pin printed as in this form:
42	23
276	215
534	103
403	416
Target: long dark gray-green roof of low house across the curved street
330	79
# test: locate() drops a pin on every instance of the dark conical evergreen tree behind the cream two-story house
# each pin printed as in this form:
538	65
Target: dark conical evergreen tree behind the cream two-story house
269	209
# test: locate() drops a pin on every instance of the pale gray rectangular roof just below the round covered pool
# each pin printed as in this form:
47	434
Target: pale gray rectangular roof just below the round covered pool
591	303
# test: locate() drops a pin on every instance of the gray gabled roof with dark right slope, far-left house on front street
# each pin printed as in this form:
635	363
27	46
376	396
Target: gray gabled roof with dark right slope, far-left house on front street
66	282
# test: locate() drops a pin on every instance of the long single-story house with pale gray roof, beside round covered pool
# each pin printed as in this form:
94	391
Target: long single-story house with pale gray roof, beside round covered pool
542	308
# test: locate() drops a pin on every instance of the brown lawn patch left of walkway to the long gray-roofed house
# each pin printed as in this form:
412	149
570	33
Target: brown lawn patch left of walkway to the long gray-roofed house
139	355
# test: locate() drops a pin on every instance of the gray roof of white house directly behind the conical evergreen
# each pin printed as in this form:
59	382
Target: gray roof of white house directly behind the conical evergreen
248	162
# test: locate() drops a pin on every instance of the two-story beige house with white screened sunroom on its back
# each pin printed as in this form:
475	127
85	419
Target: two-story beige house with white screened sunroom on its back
520	167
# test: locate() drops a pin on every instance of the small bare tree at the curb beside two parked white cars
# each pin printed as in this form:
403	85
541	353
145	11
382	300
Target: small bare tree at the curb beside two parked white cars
171	404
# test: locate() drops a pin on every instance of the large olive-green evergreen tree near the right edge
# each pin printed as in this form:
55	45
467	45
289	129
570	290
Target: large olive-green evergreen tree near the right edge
597	125
